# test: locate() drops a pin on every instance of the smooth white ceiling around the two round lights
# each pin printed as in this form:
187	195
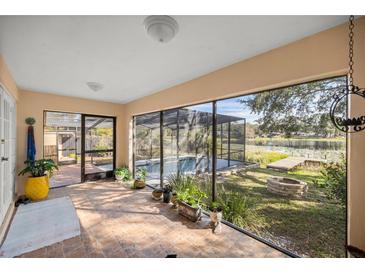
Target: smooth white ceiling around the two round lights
59	54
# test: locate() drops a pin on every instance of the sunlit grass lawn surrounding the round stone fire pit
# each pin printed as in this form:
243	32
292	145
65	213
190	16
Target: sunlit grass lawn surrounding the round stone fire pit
313	226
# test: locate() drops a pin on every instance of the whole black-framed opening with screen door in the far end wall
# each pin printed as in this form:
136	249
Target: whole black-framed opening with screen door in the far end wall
82	145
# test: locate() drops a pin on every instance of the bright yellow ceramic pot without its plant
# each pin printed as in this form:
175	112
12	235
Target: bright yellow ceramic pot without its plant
36	188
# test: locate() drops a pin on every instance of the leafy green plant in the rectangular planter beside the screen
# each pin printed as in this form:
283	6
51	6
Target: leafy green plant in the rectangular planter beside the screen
189	202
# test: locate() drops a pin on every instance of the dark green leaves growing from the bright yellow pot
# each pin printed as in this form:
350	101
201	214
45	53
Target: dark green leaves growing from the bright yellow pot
39	168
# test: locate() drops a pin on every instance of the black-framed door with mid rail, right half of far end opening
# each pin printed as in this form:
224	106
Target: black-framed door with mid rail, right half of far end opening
98	147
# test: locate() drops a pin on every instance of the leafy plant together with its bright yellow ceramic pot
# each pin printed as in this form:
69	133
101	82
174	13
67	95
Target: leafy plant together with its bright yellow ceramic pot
37	185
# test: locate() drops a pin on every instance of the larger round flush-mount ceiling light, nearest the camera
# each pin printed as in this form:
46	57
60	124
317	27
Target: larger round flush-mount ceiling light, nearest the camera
161	28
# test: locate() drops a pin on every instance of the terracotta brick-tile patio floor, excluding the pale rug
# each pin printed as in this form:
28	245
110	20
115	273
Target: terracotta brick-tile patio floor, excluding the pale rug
119	222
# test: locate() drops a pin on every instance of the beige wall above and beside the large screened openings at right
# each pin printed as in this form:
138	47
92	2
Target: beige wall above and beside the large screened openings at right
315	57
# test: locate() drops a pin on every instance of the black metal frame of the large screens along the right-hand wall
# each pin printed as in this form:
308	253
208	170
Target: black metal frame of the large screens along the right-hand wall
214	102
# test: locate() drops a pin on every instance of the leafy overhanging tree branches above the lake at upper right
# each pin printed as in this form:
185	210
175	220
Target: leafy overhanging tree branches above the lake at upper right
300	109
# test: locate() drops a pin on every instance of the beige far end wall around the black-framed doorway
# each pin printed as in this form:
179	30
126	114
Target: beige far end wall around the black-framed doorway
32	104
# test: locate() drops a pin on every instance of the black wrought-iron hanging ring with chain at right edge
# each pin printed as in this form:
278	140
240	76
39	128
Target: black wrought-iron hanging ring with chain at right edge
344	123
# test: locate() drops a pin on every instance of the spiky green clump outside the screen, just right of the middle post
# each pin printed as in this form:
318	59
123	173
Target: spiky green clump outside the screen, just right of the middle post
237	208
